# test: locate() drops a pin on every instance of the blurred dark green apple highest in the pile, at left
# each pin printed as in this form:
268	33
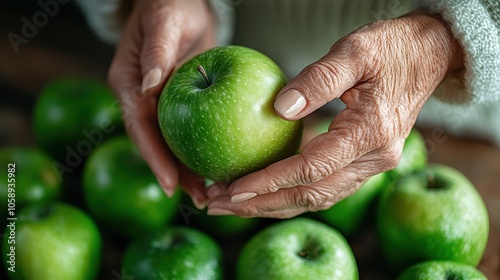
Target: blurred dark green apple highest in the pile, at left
72	116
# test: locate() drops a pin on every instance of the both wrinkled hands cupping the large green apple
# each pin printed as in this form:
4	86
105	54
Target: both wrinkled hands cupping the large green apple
384	72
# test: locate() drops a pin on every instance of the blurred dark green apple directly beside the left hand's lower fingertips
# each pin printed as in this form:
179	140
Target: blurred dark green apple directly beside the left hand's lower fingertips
122	192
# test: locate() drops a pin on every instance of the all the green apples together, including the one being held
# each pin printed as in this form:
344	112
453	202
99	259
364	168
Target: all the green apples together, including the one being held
87	206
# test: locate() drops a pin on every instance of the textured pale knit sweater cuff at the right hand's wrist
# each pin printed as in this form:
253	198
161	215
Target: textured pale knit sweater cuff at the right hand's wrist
473	24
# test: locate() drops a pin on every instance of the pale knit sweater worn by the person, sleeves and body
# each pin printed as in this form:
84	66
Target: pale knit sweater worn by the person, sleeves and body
297	33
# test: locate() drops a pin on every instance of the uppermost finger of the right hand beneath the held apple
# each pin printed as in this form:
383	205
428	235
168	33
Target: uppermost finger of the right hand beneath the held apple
319	159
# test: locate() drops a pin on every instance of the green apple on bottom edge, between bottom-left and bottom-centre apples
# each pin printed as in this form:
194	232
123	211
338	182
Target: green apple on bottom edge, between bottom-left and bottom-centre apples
174	253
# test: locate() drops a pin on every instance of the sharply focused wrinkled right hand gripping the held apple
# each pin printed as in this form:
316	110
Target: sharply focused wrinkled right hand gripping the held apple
384	73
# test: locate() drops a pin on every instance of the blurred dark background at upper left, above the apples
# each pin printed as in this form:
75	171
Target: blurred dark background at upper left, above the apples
63	46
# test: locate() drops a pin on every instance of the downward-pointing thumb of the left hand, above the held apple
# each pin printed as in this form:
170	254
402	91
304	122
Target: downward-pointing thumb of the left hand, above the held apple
160	47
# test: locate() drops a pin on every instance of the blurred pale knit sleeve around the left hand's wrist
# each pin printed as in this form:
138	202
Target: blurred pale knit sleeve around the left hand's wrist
106	18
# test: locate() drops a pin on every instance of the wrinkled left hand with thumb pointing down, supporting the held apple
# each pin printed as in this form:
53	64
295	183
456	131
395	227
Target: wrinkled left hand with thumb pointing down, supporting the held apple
158	36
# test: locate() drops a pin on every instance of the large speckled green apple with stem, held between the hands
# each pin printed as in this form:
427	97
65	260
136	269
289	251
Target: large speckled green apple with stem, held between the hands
216	114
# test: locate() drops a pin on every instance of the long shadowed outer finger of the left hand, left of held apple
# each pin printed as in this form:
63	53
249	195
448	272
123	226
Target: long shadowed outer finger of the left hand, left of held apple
139	111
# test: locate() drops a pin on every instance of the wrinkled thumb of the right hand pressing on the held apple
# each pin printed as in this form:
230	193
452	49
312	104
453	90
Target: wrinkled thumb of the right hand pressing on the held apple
318	83
